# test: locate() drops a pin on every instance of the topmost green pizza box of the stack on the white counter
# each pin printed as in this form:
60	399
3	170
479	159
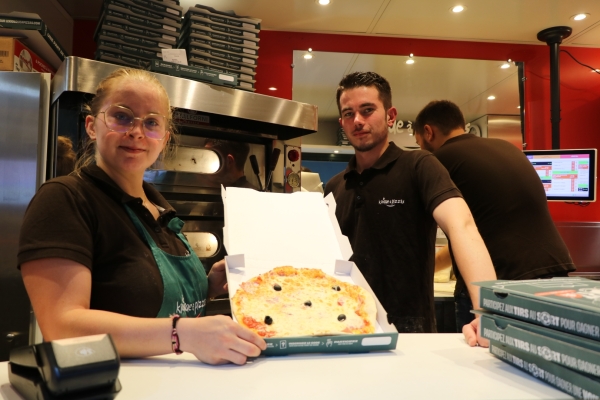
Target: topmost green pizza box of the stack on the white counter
570	304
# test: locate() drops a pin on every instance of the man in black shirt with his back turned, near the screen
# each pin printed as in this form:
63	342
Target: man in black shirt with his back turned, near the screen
505	195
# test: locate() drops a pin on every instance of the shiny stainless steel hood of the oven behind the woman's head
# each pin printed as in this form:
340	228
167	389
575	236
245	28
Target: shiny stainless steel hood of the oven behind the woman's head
243	110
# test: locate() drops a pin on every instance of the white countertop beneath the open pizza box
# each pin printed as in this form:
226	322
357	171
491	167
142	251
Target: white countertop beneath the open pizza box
424	366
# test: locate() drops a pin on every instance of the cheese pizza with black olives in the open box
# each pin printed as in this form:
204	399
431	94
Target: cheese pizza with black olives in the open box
288	301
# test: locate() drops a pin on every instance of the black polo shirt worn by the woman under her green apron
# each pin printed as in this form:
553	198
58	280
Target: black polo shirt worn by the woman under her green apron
82	218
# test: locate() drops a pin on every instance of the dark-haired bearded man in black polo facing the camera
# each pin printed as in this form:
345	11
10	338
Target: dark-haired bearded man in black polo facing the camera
389	203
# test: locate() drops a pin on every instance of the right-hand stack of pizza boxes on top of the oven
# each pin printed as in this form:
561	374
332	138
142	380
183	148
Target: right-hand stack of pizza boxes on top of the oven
222	42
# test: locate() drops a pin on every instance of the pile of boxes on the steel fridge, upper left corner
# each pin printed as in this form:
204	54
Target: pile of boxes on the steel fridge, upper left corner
27	45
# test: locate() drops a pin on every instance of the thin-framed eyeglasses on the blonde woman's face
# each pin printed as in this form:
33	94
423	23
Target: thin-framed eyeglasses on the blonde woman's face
121	119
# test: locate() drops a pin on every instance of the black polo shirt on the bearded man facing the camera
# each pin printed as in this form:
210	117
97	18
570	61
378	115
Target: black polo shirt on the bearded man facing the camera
386	212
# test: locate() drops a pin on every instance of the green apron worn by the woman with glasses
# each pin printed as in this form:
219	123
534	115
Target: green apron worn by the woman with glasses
184	279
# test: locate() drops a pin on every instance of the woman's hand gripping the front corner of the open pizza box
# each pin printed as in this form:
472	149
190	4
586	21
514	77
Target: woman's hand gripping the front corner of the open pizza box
218	340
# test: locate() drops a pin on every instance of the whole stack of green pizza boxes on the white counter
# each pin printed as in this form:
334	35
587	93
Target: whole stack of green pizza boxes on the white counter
550	328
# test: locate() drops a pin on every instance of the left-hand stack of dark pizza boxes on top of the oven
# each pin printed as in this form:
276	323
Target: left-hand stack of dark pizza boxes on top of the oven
134	32
